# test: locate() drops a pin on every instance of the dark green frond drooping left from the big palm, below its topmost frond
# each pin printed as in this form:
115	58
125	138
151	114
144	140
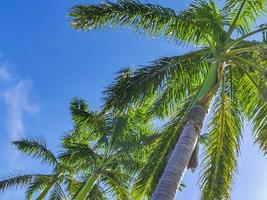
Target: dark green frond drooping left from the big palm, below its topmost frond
135	86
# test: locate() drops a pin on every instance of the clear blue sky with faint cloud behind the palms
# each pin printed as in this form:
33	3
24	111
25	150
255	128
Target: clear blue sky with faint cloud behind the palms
44	64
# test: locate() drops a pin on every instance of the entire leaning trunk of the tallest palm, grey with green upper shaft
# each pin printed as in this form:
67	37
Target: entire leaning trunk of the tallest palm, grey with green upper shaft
188	141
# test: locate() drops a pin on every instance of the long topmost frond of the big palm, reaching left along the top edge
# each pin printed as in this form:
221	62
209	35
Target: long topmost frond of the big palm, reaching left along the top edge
152	19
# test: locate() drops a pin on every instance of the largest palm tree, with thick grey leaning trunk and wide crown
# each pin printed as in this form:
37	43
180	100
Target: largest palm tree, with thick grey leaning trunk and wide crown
214	77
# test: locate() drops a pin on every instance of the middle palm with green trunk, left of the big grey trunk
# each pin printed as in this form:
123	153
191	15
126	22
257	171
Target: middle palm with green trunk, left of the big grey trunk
106	148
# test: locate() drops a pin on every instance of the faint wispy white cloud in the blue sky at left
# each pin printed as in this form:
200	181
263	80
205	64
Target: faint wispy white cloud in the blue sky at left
17	95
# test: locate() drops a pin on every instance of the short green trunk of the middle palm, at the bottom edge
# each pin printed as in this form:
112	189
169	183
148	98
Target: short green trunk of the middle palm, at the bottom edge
83	193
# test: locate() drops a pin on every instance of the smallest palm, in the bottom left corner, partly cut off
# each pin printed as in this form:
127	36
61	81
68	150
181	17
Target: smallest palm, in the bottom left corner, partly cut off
44	183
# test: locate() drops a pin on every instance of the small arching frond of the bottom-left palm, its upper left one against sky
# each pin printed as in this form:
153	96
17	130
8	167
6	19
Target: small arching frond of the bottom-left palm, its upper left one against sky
37	149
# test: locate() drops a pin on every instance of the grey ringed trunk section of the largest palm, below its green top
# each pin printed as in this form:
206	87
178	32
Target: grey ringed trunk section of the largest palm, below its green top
180	157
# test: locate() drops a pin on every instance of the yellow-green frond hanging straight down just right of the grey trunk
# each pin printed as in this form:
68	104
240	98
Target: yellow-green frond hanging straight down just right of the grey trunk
220	155
